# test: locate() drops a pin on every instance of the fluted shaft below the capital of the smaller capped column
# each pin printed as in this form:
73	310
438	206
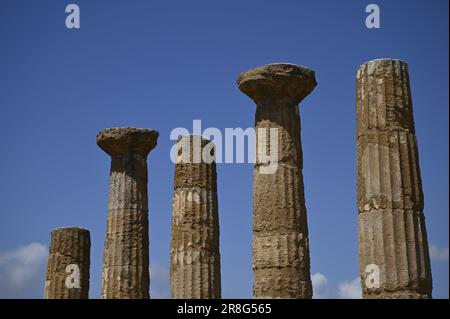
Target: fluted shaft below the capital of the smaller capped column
126	258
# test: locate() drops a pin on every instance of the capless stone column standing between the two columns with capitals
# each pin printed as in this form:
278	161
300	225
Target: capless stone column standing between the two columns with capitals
195	257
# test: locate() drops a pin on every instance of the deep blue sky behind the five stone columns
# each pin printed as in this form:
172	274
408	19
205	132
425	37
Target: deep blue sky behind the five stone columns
162	64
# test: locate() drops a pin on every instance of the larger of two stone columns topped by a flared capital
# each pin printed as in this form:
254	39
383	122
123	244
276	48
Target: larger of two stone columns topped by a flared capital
281	261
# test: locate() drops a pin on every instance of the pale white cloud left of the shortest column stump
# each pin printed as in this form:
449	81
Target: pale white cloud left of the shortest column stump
22	271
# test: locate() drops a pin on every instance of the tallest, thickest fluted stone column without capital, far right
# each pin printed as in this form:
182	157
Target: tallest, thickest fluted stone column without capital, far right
393	248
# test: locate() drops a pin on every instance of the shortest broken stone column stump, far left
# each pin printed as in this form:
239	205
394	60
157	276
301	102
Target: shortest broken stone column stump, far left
68	264
